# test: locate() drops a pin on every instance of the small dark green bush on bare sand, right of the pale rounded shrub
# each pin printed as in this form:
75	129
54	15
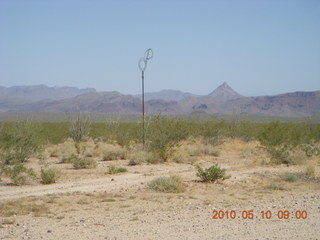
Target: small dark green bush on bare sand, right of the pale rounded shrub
211	174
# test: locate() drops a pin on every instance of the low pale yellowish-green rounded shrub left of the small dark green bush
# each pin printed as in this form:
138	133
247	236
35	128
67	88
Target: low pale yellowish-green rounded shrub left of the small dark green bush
172	184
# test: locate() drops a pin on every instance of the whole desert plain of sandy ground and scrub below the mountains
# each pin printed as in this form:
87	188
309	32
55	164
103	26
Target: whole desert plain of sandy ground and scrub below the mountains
191	180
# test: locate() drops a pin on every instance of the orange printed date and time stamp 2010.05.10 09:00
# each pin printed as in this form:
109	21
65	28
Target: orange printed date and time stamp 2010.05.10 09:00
250	214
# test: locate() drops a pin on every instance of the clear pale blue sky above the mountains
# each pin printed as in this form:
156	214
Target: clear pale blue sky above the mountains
259	47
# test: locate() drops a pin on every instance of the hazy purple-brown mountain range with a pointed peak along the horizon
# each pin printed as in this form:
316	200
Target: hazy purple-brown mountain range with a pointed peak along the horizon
223	100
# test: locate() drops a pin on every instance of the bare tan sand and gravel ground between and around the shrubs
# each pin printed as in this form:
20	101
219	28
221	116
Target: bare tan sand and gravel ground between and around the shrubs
92	204
